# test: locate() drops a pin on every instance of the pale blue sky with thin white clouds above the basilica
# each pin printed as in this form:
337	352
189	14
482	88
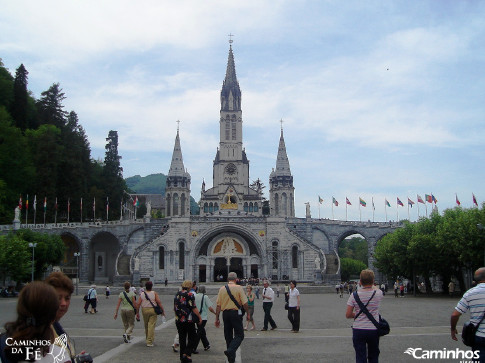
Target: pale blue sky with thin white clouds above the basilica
380	99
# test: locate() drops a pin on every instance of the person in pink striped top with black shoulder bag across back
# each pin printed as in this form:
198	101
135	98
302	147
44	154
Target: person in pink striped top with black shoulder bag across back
364	333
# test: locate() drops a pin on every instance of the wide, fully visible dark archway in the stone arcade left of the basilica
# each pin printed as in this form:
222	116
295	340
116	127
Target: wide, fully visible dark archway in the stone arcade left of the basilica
102	255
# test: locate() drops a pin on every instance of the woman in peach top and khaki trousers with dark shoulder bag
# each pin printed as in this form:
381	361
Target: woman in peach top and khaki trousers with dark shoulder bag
147	301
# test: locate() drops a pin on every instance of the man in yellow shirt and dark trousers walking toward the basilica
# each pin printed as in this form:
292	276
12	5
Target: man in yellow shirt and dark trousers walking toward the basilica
227	298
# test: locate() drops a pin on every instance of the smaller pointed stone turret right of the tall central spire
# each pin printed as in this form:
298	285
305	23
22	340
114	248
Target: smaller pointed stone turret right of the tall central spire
281	192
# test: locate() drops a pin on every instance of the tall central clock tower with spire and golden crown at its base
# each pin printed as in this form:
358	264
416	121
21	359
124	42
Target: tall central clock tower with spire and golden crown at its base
231	192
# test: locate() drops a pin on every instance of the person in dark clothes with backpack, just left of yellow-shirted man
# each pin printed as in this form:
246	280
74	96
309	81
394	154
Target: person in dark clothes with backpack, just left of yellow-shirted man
186	315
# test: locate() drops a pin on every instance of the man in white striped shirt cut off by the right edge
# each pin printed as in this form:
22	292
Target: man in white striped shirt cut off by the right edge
474	301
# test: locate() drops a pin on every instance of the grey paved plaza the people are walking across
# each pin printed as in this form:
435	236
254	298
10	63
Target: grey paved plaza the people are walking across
325	335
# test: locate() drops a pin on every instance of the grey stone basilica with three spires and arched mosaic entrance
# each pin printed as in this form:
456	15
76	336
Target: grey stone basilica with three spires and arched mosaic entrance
231	233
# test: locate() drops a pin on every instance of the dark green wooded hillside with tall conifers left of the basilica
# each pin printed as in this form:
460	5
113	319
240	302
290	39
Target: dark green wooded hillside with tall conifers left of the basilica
45	157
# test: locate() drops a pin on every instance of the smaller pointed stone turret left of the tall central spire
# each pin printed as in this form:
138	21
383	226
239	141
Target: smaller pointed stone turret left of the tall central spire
177	191
